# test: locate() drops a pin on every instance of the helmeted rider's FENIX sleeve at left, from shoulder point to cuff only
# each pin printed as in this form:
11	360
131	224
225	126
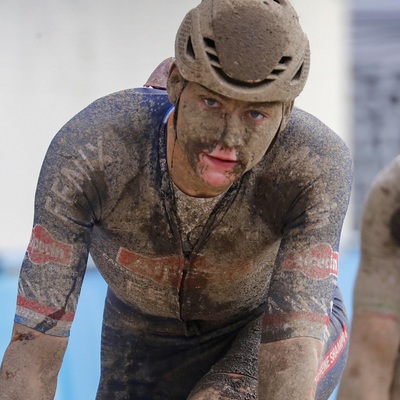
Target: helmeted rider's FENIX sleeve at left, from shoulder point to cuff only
68	202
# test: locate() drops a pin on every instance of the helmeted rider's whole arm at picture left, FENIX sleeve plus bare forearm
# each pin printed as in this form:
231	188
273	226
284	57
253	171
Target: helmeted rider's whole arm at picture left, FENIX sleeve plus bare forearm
52	272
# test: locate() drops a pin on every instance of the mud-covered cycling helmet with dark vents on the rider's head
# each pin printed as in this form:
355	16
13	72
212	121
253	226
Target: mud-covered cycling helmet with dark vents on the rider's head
250	50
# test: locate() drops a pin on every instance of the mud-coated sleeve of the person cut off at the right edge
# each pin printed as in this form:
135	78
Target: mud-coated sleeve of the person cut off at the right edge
378	279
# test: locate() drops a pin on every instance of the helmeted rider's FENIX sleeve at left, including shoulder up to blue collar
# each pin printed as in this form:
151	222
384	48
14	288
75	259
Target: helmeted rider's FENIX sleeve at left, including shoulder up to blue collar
84	172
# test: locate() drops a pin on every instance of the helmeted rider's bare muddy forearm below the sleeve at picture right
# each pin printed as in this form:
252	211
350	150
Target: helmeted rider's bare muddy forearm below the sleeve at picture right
288	368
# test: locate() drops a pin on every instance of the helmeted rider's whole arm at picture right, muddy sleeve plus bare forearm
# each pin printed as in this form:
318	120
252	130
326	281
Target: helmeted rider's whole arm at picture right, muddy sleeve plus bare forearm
296	323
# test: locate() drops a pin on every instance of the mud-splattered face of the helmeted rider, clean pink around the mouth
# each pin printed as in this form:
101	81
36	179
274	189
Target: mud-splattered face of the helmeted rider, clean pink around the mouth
223	138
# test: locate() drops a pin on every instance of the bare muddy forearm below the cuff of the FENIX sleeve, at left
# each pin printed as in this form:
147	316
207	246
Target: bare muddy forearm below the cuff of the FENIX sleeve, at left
31	364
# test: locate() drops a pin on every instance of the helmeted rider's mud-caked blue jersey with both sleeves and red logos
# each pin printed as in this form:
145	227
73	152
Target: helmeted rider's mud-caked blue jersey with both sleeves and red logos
269	245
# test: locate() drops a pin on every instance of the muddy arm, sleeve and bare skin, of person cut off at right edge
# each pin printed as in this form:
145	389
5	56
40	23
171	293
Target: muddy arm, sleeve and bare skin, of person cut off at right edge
375	333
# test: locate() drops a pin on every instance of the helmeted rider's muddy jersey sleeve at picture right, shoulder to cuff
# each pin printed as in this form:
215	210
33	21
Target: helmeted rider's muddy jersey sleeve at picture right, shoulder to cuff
316	175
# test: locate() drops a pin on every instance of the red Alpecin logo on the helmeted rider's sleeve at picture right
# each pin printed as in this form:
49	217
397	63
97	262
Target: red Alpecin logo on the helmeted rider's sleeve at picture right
319	262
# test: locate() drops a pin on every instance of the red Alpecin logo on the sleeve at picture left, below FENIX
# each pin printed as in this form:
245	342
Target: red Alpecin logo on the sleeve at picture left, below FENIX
43	248
